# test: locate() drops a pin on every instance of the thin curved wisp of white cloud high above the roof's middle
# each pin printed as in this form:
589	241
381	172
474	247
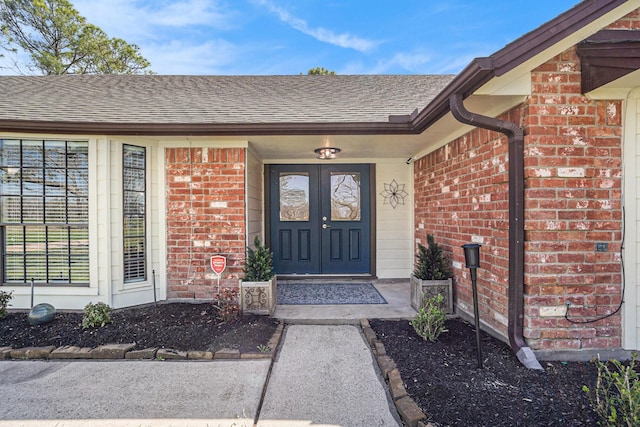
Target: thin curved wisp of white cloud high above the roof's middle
344	40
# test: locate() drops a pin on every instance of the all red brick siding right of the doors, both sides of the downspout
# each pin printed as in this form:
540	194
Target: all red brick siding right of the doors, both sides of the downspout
573	199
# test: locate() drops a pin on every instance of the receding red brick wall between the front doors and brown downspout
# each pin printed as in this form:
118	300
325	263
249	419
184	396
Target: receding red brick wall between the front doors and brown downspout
461	196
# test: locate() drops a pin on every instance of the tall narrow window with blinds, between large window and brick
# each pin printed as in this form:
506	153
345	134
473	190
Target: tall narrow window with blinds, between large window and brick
134	215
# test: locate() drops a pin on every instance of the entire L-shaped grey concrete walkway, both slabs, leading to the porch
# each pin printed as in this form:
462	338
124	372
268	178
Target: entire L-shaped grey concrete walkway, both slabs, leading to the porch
323	375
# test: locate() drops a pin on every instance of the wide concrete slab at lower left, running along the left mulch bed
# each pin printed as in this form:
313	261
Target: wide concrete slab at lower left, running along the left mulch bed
123	393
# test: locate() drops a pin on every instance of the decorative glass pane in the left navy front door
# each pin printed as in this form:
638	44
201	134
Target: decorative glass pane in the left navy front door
294	196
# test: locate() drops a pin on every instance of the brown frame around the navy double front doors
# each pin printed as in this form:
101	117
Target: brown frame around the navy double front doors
372	219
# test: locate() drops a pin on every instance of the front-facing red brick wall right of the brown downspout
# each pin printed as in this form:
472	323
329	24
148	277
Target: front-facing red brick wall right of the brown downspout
573	169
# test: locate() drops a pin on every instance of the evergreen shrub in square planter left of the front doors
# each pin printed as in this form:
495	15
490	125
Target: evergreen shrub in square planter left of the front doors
258	288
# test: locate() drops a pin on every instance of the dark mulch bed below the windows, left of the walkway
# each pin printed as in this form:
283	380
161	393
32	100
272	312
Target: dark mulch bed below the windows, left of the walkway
178	326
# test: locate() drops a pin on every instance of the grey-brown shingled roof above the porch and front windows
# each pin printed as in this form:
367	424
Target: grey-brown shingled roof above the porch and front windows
213	100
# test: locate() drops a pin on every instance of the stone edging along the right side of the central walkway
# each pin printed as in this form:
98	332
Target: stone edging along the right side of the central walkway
409	411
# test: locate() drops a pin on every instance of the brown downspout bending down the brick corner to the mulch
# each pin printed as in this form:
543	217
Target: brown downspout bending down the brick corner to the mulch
515	134
